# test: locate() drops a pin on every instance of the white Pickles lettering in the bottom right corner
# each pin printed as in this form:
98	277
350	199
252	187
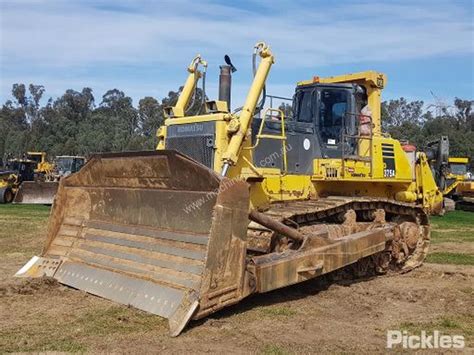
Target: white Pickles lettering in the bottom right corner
435	340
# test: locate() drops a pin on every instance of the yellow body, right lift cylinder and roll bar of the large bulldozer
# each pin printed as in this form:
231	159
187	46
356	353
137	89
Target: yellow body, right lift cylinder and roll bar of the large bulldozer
366	174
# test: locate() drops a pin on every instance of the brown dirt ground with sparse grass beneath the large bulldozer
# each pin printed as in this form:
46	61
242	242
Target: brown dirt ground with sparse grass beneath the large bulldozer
347	317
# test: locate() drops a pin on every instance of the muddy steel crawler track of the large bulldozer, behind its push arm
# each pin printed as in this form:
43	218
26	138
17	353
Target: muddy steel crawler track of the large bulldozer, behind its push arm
404	252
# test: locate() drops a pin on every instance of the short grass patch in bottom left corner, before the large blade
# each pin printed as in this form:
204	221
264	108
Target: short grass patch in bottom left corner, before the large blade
73	335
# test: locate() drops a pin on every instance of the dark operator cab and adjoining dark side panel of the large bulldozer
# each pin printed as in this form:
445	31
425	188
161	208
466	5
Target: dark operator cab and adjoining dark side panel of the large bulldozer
323	123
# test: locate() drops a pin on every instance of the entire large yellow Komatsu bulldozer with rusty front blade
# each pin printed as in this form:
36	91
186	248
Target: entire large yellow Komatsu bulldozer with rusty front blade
237	203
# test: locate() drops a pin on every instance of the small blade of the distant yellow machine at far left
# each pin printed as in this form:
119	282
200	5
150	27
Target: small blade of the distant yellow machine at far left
35	192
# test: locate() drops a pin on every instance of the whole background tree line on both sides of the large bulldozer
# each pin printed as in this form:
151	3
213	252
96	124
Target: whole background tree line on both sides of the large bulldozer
78	124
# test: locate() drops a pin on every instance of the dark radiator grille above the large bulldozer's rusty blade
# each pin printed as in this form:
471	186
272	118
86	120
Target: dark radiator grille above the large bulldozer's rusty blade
199	148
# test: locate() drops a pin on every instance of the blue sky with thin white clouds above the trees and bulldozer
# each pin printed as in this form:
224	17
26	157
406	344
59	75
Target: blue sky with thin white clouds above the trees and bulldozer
143	47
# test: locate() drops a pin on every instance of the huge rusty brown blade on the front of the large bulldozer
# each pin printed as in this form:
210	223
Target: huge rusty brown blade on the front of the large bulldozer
154	230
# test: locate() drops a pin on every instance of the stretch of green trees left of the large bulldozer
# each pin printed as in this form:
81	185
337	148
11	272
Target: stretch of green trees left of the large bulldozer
76	124
